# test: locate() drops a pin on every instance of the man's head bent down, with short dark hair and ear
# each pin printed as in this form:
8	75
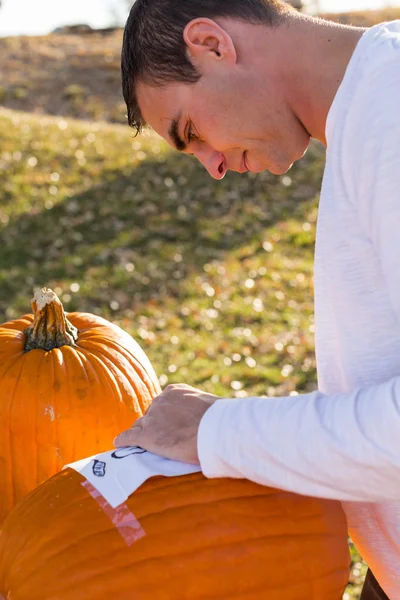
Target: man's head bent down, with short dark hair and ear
218	79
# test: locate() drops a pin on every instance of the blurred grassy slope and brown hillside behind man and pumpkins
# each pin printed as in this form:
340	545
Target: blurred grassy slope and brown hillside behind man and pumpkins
213	279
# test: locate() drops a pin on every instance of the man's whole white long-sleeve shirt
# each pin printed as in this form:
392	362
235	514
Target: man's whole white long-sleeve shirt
343	441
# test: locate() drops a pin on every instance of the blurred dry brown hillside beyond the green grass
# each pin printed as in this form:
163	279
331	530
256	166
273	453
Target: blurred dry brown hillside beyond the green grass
79	75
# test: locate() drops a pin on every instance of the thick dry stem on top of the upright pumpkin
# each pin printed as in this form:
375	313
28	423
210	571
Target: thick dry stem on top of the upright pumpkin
50	328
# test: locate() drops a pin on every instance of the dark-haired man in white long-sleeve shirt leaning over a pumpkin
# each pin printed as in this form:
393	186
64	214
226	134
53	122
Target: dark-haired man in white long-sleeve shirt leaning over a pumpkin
244	85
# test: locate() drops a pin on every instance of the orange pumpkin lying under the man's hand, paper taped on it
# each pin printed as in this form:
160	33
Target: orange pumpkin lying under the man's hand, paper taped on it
178	538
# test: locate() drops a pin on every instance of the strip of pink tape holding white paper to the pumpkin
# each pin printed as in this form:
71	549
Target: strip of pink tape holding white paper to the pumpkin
121	517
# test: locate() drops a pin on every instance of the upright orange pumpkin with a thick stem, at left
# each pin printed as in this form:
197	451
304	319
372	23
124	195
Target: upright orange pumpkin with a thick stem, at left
67	387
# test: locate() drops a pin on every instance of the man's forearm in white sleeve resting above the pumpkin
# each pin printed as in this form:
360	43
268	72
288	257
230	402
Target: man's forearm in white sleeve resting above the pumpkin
344	447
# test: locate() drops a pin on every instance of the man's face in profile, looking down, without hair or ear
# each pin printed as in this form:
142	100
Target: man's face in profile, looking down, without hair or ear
229	120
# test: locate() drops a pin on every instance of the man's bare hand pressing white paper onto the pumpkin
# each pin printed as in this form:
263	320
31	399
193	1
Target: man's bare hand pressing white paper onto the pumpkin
170	425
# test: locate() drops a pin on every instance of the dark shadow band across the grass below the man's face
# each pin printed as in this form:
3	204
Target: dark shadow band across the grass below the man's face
139	234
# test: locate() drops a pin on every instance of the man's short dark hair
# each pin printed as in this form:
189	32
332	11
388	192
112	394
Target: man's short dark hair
154	50
